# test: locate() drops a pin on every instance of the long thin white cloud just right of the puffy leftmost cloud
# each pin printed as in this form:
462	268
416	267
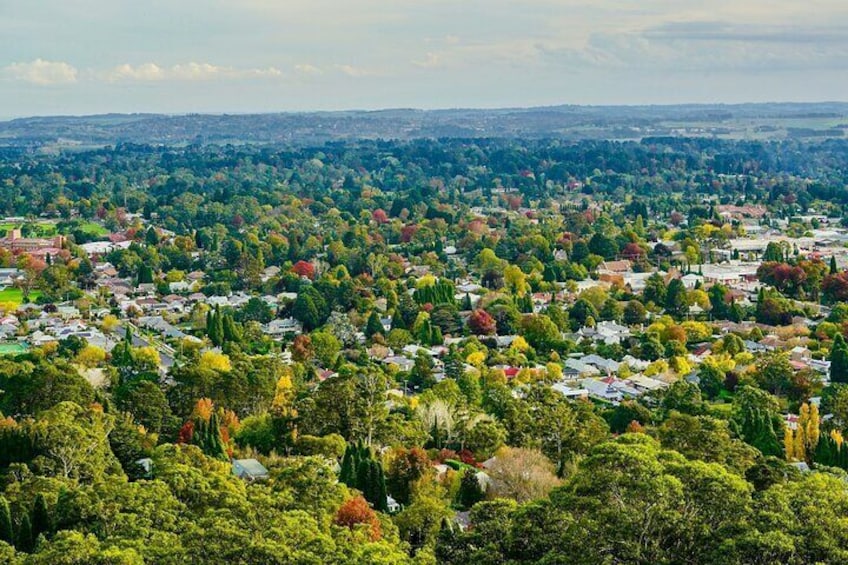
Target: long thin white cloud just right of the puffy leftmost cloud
186	72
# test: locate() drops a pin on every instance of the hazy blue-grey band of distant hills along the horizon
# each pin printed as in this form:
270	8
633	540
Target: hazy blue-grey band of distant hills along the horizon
751	121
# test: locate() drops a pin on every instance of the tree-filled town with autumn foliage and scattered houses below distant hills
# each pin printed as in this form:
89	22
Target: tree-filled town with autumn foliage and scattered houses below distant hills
445	296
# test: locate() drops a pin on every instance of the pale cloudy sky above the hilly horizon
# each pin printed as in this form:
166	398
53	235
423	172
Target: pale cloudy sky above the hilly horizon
94	56
